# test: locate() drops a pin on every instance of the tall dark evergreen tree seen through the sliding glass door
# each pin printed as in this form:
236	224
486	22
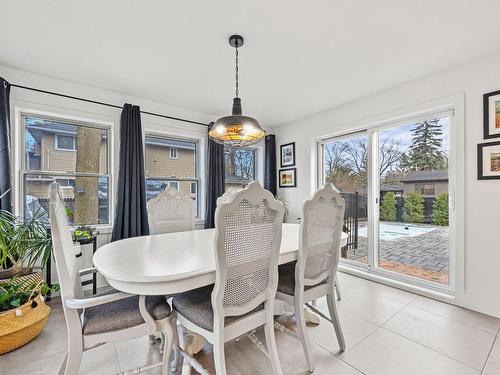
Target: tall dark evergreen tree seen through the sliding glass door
425	152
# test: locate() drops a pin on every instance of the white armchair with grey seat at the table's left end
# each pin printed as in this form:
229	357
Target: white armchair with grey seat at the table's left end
99	319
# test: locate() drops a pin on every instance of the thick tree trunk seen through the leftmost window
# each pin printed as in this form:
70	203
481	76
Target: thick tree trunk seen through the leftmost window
86	191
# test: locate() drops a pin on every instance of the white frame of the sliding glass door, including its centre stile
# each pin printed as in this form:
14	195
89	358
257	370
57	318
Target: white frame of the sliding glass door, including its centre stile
453	107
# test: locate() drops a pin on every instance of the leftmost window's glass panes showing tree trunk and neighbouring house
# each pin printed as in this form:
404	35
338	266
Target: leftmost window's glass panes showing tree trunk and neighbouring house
83	176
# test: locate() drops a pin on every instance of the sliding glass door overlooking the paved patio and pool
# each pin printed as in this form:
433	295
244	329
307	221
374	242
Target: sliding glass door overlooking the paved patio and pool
396	185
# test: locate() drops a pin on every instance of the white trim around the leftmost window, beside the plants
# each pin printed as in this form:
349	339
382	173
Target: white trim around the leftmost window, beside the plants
18	111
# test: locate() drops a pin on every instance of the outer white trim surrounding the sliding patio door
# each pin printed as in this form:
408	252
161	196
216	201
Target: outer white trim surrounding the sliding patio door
453	104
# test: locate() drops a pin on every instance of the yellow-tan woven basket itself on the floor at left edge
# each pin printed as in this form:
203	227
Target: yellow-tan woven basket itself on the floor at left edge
15	331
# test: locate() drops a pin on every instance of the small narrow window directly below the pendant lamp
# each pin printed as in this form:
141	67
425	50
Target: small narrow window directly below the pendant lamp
239	165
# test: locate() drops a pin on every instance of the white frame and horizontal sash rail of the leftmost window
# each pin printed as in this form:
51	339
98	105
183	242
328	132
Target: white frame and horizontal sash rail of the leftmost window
21	159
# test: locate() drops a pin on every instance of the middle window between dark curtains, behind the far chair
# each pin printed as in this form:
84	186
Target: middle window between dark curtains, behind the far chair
162	172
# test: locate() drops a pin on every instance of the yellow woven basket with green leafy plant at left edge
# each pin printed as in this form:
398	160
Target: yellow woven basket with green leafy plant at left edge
23	312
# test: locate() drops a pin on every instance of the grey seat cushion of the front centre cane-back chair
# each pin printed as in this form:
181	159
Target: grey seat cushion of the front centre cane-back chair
196	306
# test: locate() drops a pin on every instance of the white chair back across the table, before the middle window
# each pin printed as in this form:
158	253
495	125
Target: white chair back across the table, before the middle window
171	211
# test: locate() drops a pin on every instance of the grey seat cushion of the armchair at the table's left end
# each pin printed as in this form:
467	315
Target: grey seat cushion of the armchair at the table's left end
122	314
